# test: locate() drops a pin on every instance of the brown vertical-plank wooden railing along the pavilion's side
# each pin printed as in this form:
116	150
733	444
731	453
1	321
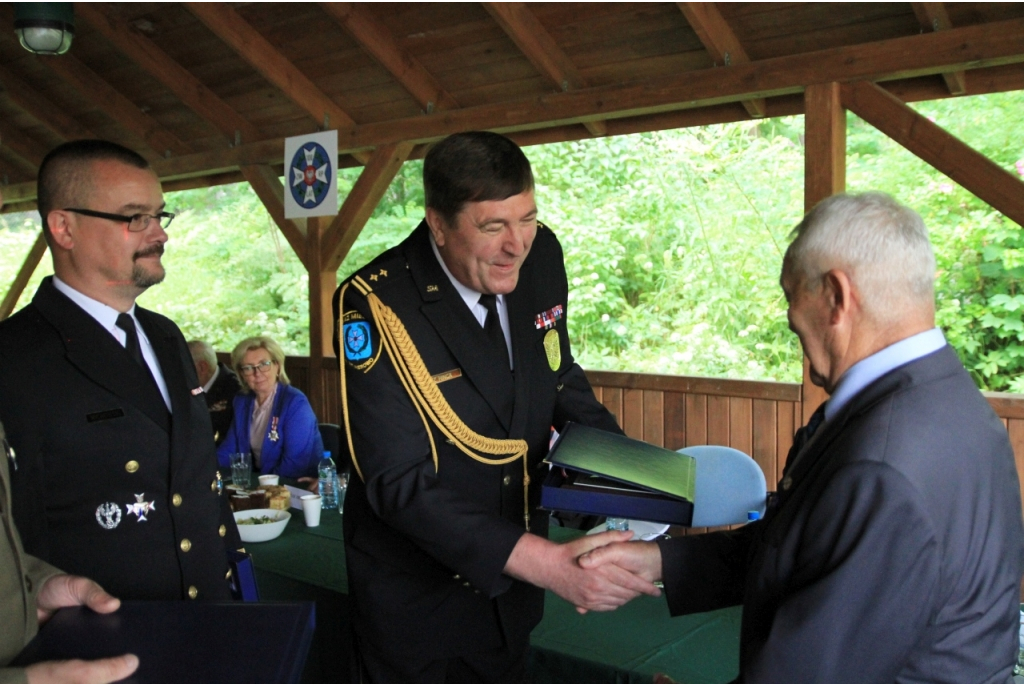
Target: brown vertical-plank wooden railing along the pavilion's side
756	417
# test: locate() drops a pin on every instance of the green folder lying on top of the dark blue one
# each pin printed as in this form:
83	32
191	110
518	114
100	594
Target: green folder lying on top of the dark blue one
623	459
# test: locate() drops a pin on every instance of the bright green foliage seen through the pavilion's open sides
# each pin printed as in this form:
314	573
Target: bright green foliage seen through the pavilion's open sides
673	246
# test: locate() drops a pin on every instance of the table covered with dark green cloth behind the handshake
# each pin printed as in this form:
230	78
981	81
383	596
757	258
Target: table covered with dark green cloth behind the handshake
629	646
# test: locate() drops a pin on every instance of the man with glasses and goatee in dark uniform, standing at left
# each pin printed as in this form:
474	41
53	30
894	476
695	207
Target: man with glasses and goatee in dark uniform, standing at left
117	477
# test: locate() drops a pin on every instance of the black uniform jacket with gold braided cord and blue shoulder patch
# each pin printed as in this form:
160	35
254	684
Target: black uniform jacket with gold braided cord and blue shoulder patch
426	548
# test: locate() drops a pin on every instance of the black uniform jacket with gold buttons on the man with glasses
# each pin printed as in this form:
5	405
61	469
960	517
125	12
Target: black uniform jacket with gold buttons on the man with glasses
110	485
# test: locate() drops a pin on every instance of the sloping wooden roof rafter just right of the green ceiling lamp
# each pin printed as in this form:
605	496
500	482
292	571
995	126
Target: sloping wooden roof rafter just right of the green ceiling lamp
187	88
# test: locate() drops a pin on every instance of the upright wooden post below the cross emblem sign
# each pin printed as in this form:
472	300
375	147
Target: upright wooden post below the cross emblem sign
322	285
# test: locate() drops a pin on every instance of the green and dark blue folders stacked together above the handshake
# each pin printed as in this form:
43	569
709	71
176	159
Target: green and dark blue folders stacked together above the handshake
606	475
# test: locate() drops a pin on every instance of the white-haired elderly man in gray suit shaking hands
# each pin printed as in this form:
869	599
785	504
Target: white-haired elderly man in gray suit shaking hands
895	548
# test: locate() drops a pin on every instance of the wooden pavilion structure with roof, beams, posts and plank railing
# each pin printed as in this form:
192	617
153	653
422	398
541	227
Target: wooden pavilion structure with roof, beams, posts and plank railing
207	92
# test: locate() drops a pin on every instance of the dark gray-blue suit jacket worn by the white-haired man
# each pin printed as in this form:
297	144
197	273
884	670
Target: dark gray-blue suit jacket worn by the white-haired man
894	553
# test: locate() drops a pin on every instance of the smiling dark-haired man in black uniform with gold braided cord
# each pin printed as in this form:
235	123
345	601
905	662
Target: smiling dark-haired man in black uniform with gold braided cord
457	365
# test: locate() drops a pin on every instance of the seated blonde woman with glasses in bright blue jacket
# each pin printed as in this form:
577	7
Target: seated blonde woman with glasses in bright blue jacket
273	420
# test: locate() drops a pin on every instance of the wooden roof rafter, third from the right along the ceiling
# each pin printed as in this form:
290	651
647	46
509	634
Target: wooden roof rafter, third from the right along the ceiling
540	49
